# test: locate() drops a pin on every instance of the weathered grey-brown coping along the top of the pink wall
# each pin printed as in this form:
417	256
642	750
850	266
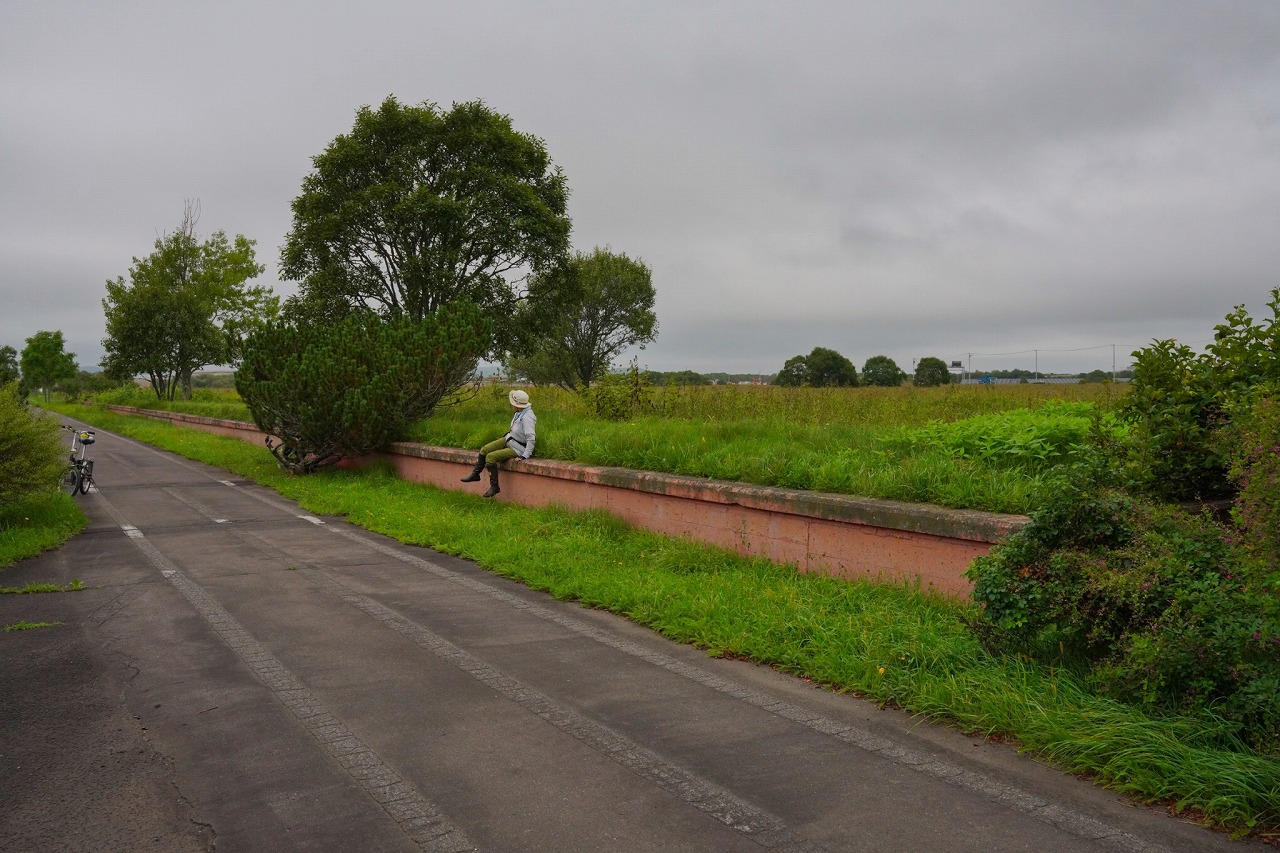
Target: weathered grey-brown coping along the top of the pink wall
971	526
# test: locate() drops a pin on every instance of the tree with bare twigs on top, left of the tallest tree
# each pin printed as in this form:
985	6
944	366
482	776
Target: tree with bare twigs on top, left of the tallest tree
188	305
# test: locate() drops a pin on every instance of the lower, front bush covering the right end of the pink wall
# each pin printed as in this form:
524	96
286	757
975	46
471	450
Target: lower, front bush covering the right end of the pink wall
1154	605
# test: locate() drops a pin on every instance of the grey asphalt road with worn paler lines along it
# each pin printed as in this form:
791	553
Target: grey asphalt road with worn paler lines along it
239	676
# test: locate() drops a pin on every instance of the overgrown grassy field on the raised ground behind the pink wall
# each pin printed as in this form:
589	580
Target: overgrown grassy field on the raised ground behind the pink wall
874	443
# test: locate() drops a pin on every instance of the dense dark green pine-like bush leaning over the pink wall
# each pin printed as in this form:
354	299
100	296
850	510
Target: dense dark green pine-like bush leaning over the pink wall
327	393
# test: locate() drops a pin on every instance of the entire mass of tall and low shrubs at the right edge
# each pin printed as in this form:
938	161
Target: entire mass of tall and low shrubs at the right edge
1153	569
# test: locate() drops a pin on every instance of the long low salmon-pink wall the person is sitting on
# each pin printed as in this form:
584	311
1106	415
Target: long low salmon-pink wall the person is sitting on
842	536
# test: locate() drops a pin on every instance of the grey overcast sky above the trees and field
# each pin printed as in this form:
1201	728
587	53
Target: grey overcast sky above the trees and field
902	179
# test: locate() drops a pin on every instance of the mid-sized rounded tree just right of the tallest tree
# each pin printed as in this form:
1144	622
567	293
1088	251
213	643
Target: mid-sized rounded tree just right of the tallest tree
580	316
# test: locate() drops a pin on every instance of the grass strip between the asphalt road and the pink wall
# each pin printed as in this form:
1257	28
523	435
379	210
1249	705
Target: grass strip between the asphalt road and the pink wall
892	645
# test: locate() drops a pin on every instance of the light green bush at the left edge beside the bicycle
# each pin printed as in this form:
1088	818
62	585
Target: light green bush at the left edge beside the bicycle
33	457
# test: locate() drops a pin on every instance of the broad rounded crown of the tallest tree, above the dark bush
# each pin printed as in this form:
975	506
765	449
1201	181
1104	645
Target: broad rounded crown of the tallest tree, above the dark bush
418	208
